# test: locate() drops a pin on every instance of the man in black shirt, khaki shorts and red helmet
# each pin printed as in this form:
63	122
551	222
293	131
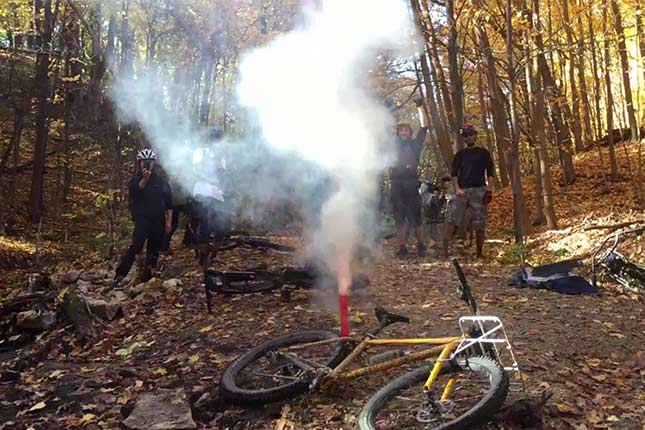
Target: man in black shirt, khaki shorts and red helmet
472	177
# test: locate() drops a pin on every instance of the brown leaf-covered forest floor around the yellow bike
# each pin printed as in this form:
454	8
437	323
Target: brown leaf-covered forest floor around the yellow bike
587	350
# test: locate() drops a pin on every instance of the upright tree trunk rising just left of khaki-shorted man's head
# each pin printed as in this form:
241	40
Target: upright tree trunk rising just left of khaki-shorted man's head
456	85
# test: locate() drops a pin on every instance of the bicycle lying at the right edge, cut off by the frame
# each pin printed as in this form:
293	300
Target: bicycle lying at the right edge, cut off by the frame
615	266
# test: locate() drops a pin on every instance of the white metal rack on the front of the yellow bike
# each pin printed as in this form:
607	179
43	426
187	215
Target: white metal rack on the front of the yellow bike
494	334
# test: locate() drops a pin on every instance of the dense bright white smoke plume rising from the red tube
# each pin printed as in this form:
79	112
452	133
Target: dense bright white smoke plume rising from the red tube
308	90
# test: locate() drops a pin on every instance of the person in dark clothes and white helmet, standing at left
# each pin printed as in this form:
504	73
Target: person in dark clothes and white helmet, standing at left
150	201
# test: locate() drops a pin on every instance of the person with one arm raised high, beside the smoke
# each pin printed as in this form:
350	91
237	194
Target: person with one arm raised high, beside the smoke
404	179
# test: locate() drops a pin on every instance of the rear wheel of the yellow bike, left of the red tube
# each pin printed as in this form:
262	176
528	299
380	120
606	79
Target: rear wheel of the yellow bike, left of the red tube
266	373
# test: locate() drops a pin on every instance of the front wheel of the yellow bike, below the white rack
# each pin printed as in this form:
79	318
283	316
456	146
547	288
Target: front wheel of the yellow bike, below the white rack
480	390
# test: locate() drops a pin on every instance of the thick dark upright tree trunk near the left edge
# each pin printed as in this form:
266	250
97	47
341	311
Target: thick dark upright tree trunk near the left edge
41	85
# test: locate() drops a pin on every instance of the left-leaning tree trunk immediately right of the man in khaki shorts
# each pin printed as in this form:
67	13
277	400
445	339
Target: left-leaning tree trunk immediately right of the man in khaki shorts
497	104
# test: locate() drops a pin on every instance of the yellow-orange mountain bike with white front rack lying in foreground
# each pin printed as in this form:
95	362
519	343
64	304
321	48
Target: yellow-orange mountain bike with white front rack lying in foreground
463	388
